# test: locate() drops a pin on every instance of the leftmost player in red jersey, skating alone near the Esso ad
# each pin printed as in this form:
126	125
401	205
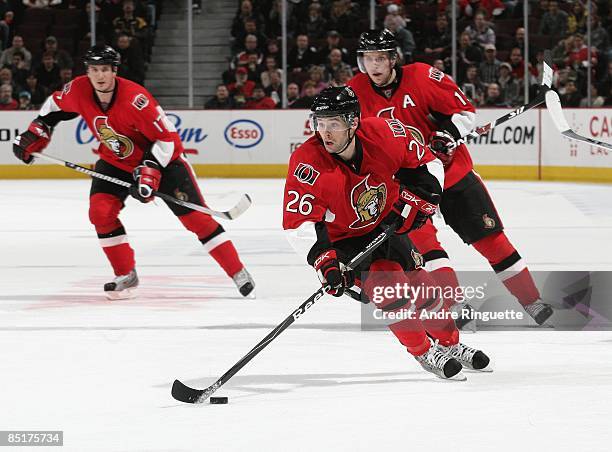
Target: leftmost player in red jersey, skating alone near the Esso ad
139	145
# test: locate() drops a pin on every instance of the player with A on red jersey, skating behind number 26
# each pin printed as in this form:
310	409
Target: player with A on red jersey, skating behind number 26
434	109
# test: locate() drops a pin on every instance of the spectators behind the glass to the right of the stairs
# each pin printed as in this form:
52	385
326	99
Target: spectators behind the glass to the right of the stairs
323	36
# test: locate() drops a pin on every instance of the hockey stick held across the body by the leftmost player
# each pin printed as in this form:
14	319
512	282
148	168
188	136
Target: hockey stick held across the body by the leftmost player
242	205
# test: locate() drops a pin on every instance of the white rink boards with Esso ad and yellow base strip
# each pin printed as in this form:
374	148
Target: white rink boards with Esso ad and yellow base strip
245	143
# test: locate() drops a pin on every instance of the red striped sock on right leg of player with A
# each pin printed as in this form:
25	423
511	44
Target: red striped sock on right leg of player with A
509	266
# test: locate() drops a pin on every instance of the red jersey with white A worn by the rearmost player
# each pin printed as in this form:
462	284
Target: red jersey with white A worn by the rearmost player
424	95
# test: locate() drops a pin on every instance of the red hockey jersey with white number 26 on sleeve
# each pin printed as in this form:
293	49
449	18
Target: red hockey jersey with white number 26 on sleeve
352	199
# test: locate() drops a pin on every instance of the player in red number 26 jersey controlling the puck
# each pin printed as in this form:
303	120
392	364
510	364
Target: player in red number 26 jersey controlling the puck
341	185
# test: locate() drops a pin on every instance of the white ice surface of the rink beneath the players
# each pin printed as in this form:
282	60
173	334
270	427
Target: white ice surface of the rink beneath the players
102	372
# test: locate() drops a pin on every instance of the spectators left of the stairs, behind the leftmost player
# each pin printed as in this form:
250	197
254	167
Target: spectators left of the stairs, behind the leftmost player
42	43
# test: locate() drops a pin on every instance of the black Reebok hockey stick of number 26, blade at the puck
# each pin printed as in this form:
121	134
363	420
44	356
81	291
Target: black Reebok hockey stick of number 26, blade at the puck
184	393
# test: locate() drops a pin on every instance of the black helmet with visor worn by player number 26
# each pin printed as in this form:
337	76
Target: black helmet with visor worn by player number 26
335	101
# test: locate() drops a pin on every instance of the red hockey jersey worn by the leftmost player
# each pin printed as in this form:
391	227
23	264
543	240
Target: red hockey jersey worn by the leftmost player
133	123
